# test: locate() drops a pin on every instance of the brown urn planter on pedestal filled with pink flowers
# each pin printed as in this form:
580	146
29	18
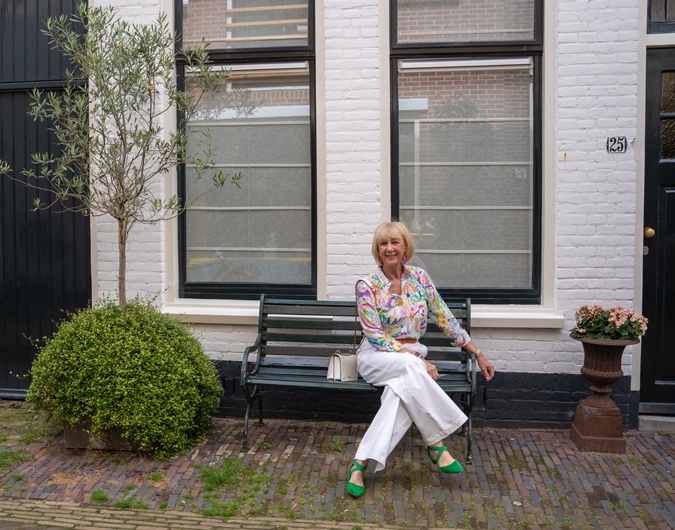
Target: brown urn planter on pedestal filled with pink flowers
604	334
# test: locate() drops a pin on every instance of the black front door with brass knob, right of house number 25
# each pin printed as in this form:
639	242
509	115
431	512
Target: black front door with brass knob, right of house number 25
657	375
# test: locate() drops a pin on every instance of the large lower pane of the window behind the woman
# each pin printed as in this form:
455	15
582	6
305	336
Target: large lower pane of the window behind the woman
465	169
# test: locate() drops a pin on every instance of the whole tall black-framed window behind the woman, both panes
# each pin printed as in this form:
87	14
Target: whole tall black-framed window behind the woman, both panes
466	142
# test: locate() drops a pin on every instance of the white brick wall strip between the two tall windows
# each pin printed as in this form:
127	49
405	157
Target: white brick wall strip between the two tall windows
353	139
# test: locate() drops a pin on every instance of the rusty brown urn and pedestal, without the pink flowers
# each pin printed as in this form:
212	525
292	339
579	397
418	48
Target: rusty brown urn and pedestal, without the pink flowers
597	420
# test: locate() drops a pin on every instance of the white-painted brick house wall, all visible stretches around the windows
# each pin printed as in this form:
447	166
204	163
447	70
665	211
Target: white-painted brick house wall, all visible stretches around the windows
595	64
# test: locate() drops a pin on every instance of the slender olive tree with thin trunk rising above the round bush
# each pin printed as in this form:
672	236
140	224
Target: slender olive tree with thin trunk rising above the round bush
108	121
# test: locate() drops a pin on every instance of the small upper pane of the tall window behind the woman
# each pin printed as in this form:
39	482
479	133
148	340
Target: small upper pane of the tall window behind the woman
464	21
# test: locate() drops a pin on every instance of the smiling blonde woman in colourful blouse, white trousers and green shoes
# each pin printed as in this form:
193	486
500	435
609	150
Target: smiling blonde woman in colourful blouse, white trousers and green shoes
393	303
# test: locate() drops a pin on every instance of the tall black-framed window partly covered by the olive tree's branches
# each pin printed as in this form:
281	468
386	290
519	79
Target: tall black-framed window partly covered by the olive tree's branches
237	243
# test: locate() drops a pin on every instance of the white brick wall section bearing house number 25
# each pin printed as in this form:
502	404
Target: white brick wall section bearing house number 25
597	56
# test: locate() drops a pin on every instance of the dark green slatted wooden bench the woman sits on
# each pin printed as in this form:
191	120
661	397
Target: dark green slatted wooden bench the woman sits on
296	338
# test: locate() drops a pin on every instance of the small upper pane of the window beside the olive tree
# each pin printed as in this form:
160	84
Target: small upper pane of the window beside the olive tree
246	23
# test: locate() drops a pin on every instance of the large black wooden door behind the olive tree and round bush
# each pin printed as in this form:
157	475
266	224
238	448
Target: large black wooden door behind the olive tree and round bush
45	256
